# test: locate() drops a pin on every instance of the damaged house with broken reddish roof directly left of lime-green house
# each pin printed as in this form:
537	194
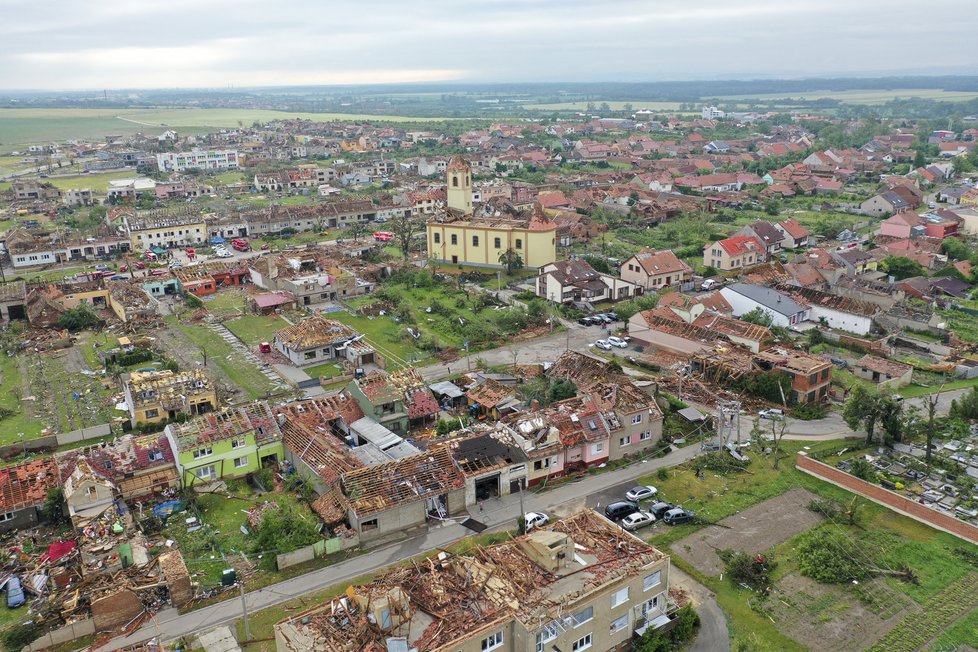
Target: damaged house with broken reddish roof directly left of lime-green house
138	466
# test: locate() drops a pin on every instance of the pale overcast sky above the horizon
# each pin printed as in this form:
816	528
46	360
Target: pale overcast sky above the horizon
65	44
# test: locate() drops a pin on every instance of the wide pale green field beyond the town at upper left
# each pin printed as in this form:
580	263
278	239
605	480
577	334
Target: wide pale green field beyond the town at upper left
24	126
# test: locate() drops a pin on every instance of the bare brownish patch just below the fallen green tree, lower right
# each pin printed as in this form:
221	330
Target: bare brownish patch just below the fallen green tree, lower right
827	617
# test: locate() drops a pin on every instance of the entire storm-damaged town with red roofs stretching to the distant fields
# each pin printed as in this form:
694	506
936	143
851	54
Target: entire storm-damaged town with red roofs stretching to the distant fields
607	378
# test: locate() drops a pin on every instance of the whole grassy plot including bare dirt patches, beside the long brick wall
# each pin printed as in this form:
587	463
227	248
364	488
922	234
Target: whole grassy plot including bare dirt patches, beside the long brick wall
767	511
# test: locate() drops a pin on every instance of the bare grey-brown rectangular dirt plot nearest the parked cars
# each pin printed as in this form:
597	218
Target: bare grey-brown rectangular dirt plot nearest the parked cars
756	529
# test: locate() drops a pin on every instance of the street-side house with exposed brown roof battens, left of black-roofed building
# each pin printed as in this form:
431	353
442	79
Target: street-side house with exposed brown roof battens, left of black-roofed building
394	496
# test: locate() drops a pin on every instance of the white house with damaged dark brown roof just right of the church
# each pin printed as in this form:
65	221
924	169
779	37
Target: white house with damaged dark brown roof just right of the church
571	281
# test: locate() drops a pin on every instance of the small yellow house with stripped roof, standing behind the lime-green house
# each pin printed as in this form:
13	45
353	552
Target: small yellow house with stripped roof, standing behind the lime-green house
155	396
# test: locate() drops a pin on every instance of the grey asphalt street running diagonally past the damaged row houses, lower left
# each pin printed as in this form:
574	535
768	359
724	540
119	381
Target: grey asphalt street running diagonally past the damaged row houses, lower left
498	513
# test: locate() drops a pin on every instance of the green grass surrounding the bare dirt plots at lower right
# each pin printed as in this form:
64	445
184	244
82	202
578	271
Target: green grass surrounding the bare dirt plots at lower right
715	497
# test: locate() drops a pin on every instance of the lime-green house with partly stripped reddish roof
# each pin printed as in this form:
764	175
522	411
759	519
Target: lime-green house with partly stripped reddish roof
230	443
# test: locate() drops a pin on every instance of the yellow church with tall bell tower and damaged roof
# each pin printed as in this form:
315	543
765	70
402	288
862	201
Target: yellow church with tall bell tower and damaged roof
458	236
